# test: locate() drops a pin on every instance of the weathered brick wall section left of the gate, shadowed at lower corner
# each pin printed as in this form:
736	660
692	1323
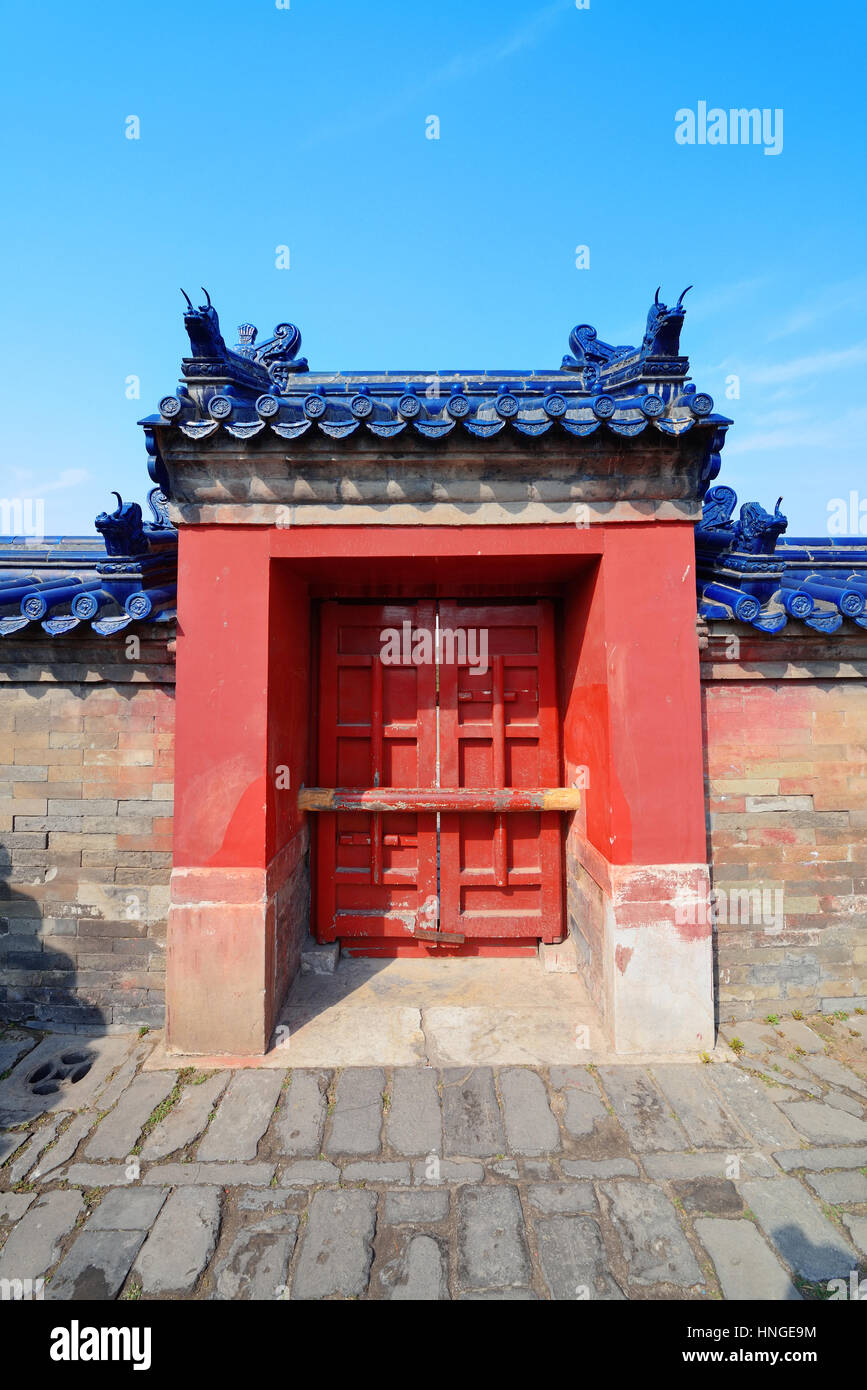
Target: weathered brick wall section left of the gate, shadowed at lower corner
85	837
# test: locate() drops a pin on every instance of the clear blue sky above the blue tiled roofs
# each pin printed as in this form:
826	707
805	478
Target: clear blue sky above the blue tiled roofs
305	127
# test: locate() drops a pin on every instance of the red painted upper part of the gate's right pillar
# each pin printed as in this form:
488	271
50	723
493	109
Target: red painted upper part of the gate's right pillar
631	697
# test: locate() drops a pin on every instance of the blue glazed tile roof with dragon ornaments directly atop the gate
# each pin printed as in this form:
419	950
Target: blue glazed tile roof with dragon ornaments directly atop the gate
251	390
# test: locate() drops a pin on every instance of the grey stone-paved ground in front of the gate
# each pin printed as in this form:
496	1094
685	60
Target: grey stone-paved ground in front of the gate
744	1179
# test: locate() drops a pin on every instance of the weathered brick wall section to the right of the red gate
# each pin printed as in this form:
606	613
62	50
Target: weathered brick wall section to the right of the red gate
786	743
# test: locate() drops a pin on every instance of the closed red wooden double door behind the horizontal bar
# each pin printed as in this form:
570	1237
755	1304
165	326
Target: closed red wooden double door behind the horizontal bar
473	712
